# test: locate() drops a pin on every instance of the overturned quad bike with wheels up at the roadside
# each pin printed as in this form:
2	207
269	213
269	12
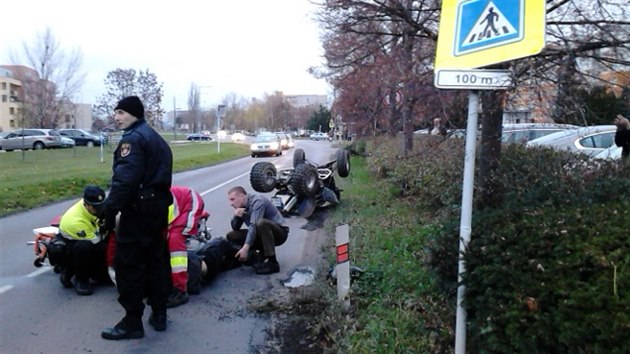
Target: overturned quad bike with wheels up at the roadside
303	188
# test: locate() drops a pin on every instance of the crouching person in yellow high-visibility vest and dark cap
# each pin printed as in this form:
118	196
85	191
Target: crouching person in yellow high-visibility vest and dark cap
85	247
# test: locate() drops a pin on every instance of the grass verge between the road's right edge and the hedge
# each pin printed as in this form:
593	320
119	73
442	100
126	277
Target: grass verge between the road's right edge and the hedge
396	306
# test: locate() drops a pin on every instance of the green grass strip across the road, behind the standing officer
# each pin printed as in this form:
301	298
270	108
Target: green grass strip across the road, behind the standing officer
36	178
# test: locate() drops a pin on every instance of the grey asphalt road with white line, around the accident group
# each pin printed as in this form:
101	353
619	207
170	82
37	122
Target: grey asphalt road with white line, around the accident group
37	315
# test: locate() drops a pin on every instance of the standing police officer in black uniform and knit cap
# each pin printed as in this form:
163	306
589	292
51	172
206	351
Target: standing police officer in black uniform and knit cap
140	192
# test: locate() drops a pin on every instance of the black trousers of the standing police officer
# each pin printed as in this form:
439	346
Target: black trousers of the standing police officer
142	260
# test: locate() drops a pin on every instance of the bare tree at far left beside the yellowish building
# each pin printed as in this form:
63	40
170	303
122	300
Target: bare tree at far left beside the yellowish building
46	97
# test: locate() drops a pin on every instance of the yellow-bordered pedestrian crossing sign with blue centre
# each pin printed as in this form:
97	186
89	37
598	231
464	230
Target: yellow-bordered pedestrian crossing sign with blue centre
476	33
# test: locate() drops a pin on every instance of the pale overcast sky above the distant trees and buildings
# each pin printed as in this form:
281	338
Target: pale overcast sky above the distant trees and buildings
247	47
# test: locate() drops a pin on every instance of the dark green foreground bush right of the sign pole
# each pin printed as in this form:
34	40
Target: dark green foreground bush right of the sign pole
546	281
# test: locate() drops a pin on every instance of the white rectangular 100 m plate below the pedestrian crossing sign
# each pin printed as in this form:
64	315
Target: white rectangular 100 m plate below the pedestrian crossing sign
473	79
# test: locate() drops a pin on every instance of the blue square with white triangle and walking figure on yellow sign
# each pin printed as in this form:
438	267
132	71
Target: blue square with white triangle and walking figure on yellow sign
483	24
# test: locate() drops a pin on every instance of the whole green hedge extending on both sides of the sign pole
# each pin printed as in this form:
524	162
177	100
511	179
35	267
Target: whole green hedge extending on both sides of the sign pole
548	271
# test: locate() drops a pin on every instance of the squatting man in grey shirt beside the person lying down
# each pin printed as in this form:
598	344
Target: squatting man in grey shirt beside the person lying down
265	230
